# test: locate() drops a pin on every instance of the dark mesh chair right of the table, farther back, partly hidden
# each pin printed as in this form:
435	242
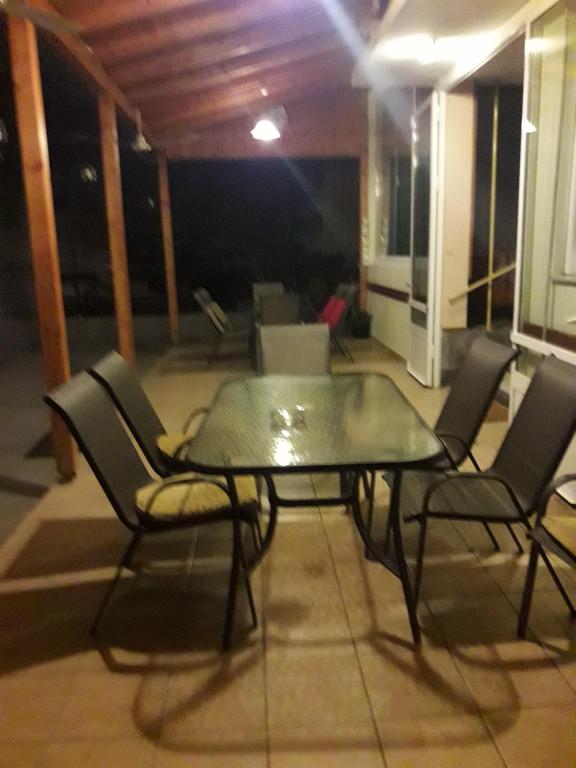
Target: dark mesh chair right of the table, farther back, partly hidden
466	406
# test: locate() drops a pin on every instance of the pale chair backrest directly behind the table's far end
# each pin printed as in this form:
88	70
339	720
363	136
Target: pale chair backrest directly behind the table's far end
296	349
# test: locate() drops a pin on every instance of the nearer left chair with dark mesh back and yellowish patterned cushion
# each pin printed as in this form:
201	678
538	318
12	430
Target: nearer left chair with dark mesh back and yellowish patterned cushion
147	506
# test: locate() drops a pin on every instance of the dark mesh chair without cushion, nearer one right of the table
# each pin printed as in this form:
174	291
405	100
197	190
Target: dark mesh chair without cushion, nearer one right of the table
511	490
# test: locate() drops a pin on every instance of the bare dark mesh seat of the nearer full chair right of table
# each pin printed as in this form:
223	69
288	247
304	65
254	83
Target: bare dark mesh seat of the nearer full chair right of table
479	498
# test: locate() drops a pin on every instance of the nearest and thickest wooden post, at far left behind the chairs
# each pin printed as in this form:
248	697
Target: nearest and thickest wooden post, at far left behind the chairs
41	223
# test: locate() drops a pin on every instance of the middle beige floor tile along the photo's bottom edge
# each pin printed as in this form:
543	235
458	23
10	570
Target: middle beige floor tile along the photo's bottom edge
325	746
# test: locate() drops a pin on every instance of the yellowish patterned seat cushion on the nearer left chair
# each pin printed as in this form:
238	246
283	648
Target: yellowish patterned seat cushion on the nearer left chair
194	499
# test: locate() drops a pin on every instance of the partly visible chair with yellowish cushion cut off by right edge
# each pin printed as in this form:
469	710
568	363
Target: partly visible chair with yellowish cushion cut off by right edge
554	533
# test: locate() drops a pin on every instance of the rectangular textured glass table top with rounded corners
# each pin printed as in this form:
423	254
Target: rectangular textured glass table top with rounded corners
291	423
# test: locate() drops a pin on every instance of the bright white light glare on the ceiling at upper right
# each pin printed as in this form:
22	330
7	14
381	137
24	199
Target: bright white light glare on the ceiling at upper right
425	50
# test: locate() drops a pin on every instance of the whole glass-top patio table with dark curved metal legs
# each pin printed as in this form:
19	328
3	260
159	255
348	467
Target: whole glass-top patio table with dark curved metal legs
345	423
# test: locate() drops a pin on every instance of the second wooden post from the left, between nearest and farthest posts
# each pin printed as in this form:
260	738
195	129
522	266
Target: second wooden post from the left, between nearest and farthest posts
116	227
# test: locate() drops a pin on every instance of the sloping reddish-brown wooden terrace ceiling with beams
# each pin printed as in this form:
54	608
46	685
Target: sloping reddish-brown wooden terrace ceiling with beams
193	66
